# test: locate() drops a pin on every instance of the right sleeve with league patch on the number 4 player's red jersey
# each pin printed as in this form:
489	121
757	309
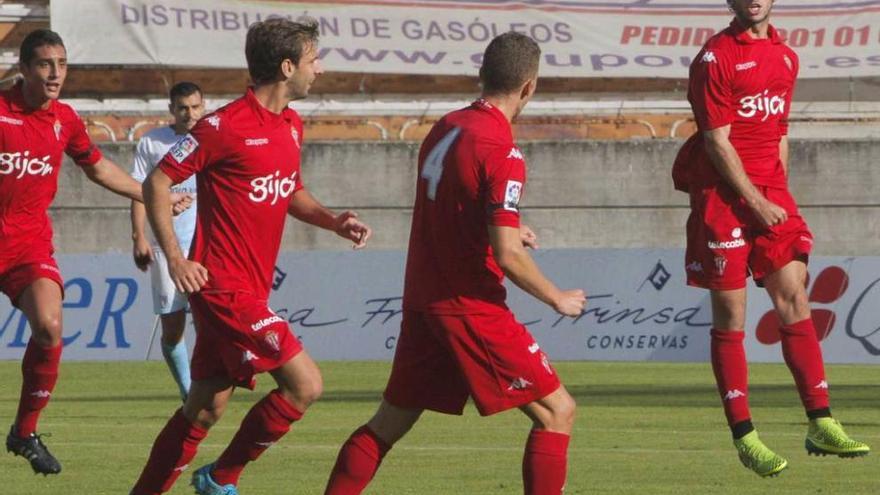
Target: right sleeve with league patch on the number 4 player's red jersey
505	177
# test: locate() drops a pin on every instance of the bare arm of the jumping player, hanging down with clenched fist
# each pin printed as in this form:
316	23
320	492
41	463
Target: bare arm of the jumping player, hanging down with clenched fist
728	164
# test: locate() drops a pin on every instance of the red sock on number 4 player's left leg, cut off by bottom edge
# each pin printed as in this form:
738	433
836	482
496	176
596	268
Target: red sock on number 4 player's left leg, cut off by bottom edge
357	463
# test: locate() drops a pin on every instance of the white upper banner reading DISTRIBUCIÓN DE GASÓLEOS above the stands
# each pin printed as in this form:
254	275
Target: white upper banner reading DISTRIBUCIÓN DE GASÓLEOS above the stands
579	38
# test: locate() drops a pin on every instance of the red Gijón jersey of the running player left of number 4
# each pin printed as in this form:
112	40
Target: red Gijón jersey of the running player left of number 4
248	163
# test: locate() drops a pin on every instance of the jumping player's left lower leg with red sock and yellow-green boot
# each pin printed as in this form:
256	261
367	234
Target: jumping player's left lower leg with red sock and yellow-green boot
731	376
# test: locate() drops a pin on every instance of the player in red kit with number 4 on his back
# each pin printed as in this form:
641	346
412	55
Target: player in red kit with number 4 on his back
458	339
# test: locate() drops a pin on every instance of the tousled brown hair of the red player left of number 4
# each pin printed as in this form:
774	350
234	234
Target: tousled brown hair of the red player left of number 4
271	41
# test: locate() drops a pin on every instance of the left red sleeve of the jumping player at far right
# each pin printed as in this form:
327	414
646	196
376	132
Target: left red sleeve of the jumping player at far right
710	91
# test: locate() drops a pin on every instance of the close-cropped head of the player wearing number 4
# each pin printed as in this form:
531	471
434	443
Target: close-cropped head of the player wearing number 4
509	61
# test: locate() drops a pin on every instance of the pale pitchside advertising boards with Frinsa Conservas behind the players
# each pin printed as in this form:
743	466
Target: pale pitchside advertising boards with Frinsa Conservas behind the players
347	306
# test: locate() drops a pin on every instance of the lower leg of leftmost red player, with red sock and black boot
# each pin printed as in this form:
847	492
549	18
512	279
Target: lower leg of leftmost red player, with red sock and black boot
41	304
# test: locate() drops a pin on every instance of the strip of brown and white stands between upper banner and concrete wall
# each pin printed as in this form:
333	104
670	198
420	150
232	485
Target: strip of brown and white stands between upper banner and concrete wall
120	103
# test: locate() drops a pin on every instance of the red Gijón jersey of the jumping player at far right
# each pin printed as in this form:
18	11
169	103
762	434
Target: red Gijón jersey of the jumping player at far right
746	83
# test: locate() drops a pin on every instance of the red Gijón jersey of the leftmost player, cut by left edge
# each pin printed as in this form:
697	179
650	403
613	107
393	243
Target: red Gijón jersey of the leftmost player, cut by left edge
31	144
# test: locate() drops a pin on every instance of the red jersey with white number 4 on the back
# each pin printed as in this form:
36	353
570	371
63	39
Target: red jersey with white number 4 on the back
471	175
